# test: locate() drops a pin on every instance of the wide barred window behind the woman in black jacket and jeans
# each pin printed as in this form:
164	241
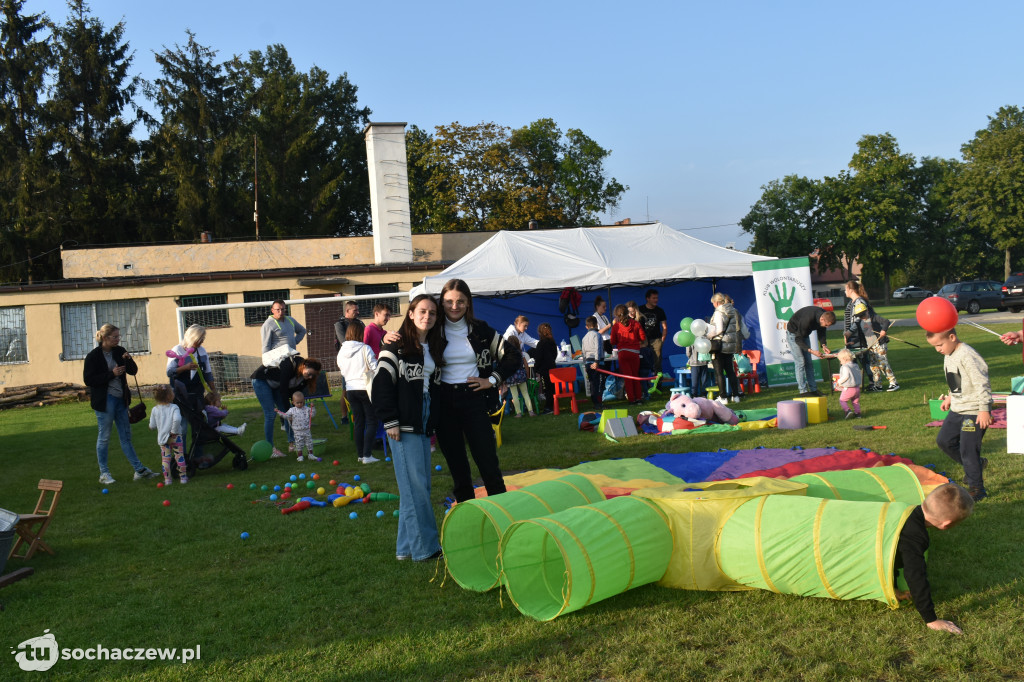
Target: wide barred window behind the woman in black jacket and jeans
79	323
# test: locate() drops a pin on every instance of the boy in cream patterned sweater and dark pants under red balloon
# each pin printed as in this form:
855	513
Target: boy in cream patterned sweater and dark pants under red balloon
969	403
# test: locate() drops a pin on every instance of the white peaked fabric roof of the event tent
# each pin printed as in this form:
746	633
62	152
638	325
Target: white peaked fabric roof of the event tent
590	259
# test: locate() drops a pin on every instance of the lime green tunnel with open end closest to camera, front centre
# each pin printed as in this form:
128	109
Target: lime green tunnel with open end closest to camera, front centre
560	564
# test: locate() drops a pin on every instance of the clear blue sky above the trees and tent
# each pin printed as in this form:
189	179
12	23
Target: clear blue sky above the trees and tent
701	104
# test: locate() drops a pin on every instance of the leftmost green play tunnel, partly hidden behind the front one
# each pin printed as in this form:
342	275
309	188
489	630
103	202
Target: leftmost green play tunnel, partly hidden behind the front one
473	531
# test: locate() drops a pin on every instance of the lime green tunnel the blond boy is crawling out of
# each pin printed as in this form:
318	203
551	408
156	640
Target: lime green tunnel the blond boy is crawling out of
814	547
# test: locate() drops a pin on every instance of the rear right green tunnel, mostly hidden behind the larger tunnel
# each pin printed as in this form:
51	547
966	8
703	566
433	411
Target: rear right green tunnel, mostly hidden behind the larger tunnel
894	484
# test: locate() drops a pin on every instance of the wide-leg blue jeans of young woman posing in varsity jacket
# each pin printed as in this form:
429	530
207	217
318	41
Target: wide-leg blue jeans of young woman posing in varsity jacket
417	525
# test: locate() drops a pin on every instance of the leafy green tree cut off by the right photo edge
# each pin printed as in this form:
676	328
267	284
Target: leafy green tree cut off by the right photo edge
991	191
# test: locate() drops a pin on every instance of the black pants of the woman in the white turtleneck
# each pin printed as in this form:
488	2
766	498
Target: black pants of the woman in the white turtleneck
462	419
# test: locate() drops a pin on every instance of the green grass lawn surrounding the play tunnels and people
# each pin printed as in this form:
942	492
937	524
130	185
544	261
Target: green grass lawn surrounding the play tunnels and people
315	595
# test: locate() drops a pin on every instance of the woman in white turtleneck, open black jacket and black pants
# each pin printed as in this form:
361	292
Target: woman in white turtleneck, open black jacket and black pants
471	351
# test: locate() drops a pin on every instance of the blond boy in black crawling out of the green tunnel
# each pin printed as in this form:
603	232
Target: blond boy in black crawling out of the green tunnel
947	506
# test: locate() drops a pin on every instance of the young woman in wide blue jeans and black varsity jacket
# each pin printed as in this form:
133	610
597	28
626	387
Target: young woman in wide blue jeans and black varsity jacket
404	389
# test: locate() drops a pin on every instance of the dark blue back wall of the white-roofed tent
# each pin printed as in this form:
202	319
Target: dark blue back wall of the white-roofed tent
682	300
